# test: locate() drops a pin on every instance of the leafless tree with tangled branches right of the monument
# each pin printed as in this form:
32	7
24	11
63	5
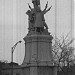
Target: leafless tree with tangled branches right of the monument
63	52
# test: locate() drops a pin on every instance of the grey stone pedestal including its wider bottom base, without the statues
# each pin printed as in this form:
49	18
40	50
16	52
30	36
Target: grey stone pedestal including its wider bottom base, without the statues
38	55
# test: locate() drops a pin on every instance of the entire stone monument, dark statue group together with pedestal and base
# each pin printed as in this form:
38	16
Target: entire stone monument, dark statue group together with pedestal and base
38	58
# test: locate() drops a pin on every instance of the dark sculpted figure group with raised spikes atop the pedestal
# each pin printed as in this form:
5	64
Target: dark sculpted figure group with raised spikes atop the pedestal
36	16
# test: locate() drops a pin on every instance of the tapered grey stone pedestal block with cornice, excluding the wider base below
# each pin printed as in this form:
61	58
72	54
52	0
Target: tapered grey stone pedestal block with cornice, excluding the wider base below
38	50
